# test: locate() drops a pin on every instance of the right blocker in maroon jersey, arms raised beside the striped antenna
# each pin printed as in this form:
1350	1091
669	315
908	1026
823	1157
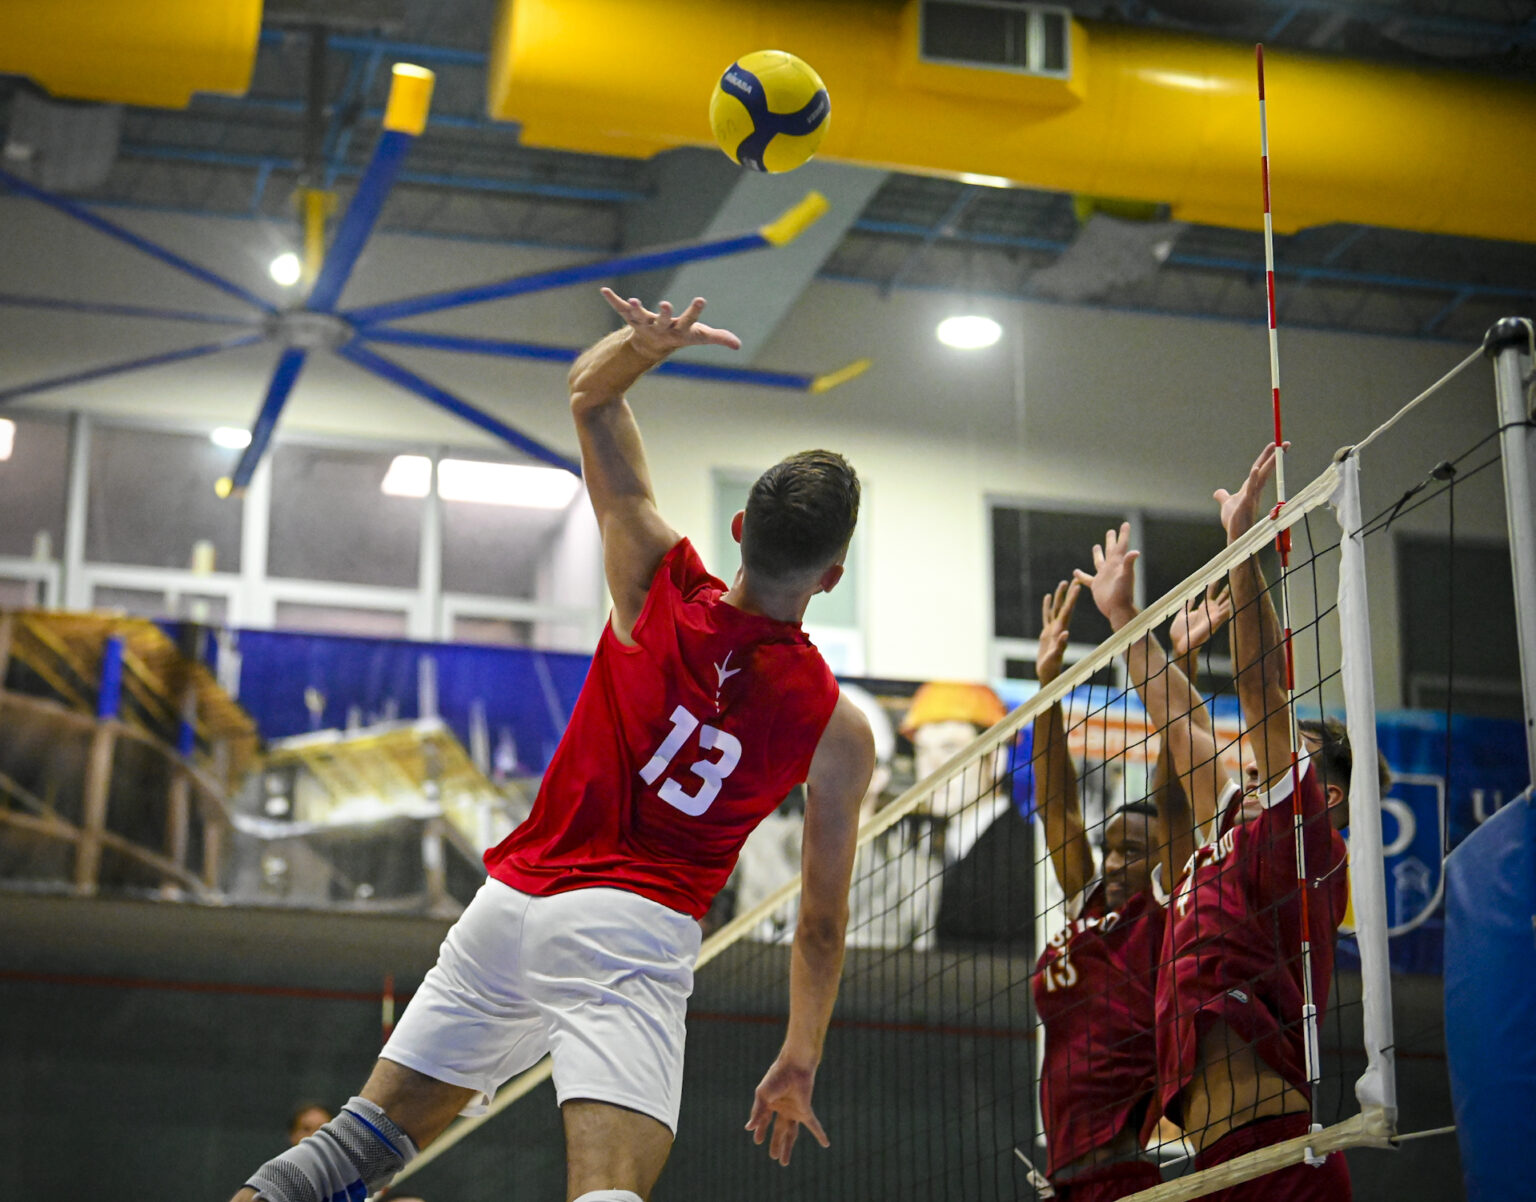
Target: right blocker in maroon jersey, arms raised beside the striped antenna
1230	1005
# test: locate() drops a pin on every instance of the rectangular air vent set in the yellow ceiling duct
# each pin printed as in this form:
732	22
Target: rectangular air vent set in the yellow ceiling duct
998	35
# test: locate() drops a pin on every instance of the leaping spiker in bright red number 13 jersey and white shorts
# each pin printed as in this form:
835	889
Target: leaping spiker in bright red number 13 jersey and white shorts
704	705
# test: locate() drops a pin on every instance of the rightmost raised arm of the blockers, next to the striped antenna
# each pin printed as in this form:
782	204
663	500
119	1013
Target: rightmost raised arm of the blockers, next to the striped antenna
1259	652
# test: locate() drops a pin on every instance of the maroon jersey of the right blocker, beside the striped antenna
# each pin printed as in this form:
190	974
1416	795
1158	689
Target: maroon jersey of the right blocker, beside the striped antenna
1233	949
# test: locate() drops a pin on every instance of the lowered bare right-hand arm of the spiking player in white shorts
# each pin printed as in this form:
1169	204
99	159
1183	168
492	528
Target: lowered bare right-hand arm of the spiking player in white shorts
836	787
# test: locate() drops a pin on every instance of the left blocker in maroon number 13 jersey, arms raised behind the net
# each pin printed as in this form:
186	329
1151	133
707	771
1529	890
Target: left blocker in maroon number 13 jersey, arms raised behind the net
1096	982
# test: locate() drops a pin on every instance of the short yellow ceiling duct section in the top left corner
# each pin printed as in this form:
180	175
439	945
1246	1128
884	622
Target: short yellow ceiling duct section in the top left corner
153	53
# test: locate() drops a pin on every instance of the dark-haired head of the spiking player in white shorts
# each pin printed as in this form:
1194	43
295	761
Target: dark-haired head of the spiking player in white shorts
799	517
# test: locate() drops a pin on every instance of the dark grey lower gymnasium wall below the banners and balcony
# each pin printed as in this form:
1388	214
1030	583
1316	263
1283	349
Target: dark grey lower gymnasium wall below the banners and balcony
184	1037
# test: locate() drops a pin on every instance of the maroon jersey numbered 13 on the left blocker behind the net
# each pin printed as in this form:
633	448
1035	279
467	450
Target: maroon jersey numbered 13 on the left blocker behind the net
1096	996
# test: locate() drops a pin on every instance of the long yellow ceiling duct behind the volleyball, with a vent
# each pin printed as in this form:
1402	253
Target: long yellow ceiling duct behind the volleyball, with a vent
1133	113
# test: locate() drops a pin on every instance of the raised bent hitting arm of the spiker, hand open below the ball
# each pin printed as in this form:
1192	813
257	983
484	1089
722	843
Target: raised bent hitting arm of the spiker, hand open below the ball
635	537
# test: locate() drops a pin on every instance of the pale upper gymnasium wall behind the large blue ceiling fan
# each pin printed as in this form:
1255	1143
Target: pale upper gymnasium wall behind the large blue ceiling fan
1074	406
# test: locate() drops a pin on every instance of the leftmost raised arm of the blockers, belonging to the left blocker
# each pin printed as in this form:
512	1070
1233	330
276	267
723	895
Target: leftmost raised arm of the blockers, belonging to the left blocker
1059	807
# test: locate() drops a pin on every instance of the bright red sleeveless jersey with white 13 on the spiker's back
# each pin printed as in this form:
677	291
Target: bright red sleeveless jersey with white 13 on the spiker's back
677	750
